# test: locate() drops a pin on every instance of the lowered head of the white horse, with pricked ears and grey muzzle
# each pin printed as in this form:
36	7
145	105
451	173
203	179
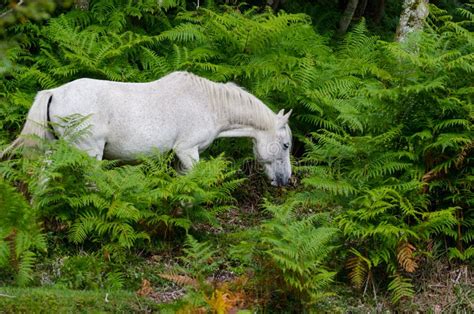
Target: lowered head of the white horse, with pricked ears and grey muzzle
272	149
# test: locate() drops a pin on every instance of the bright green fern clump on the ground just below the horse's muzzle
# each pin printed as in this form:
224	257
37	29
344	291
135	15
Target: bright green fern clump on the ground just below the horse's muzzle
291	253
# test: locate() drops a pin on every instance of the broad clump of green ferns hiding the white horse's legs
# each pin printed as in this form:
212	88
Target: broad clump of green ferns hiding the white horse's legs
115	208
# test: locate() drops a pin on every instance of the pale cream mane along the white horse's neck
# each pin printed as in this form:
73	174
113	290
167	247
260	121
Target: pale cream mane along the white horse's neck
234	103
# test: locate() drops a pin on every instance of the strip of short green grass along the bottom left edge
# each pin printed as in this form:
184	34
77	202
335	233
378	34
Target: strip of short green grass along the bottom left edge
48	300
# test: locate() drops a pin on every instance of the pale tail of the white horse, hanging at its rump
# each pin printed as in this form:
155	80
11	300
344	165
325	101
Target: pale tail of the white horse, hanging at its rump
36	126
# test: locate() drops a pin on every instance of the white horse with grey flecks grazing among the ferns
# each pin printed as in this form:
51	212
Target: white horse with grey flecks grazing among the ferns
180	112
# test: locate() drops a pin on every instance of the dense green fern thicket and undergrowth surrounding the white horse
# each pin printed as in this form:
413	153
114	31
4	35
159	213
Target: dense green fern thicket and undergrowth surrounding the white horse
383	162
